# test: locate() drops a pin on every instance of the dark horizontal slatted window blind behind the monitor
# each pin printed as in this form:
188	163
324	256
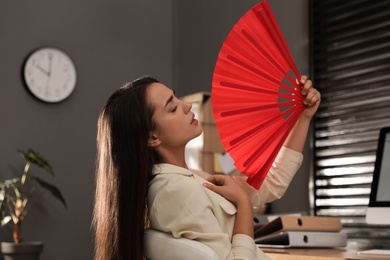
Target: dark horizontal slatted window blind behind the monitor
350	65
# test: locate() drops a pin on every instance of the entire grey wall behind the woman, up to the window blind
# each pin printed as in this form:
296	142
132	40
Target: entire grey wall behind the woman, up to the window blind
111	42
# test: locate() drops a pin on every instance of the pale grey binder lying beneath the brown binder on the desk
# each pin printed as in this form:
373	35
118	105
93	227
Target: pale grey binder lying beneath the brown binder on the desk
305	239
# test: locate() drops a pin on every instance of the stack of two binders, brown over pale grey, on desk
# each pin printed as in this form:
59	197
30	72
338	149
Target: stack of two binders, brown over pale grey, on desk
301	231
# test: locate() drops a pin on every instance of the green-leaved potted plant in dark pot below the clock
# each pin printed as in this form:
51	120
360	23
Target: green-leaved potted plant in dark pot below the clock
17	197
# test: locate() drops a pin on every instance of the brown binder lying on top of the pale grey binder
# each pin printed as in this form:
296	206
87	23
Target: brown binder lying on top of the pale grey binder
300	223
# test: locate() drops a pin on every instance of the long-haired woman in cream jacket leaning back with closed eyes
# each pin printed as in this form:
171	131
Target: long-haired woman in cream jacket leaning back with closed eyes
142	132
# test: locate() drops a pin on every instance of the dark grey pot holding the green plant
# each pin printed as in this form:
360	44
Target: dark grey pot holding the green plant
22	251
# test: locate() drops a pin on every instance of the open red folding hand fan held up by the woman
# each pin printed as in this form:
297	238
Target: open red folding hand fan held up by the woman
256	99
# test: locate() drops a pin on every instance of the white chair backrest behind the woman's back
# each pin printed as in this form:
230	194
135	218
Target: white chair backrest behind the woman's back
163	246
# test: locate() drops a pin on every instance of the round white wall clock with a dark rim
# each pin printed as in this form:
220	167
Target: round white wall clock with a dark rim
50	74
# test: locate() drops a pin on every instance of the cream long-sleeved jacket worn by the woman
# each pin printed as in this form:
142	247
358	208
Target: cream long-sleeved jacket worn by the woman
179	204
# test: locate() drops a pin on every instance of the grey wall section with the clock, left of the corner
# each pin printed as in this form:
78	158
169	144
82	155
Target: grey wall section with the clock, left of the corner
111	43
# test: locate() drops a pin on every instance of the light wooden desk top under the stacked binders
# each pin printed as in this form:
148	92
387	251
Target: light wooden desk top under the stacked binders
314	254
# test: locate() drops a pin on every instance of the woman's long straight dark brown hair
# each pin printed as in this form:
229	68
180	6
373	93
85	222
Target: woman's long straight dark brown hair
123	169
